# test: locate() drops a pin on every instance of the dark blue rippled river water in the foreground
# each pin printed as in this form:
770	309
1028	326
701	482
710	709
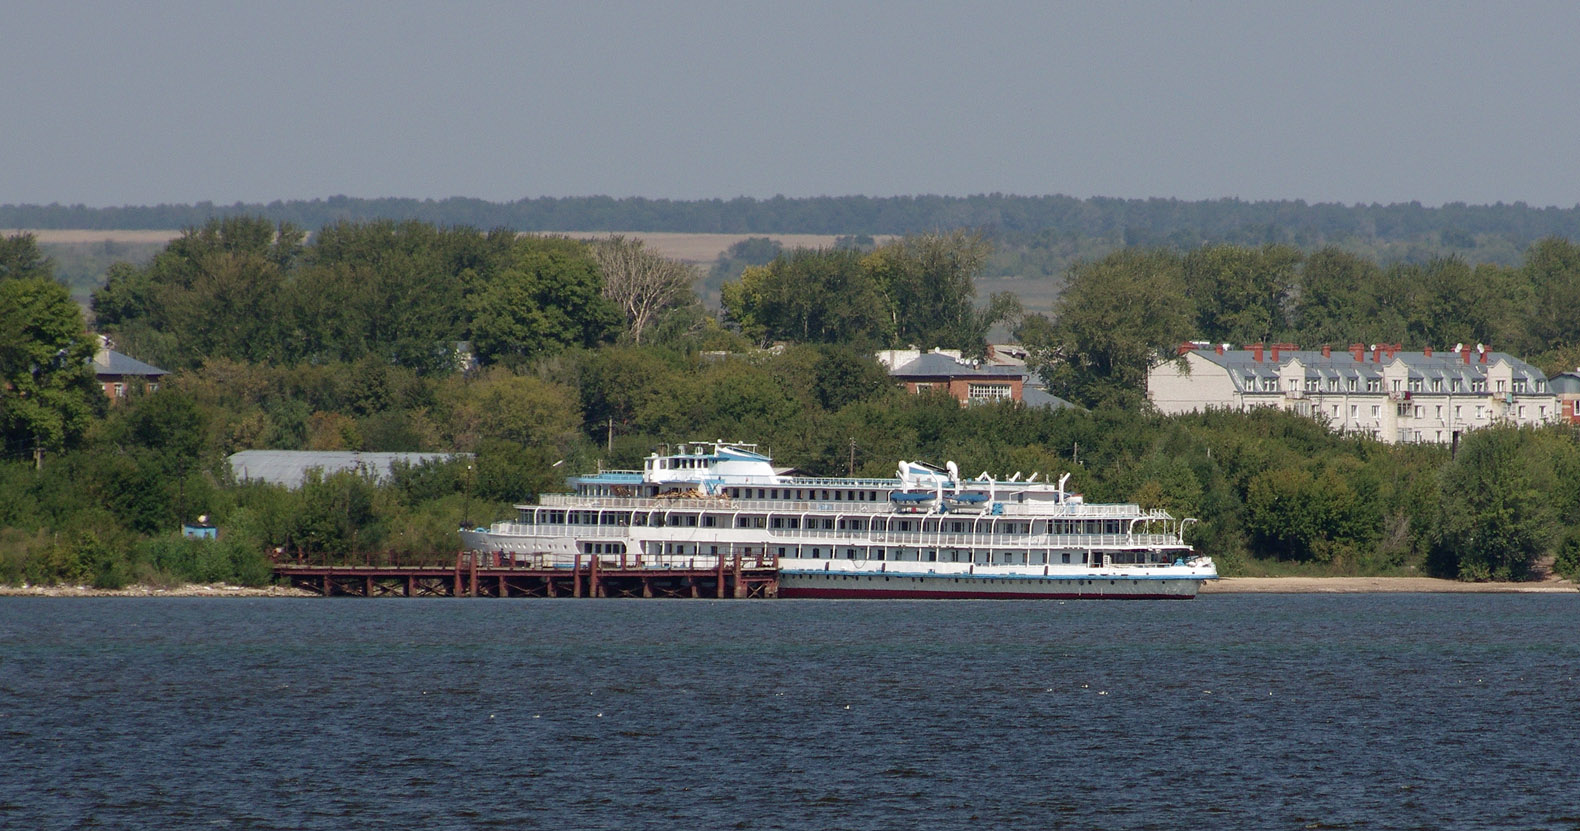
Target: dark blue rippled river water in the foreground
1228	712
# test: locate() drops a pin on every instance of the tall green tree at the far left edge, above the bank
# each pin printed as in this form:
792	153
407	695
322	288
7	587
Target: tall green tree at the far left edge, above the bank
48	396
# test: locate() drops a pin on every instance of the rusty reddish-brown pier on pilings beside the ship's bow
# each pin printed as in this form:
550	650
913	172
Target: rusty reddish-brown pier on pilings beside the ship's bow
489	576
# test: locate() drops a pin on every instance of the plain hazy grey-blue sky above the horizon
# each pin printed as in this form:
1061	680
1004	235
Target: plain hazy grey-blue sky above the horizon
122	103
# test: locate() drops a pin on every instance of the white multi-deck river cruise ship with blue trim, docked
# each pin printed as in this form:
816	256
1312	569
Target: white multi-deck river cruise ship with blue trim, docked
927	533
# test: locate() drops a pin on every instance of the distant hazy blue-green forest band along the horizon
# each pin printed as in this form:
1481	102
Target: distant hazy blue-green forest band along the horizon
1126	222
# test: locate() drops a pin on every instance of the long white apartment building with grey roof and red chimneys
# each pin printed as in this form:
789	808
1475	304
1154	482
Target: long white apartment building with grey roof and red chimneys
1382	391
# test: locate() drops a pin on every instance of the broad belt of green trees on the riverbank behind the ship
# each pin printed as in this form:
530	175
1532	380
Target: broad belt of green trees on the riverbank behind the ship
356	340
